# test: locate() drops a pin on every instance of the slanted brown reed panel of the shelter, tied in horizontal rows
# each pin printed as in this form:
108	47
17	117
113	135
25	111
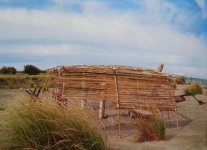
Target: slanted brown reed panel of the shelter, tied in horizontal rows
125	86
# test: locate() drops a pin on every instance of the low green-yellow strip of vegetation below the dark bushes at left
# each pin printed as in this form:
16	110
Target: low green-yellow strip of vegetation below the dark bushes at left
18	80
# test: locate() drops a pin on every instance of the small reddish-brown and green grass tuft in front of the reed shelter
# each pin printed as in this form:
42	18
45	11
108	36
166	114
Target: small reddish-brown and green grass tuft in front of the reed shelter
150	130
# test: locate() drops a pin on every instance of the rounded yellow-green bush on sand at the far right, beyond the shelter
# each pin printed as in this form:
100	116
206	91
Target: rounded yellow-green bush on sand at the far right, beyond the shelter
193	89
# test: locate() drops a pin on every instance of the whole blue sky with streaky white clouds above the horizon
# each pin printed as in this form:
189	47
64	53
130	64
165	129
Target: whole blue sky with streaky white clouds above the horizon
142	33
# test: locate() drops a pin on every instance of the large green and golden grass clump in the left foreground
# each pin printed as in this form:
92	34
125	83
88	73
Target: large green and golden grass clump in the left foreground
46	125
